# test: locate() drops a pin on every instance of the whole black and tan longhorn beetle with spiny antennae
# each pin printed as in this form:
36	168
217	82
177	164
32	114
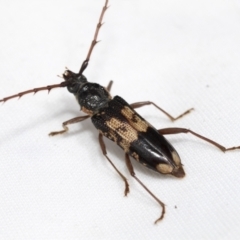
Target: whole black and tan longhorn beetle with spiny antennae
117	120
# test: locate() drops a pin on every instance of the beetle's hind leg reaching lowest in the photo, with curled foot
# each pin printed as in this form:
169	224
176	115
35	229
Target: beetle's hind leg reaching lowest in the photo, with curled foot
131	170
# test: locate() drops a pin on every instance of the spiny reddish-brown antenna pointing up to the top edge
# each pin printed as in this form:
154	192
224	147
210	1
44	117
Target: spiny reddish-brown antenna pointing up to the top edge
94	41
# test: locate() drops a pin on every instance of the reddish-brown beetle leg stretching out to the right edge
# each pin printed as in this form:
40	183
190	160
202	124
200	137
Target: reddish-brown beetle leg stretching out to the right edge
185	130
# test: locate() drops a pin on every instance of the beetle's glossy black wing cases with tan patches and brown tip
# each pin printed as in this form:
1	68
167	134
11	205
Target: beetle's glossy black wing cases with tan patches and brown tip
120	123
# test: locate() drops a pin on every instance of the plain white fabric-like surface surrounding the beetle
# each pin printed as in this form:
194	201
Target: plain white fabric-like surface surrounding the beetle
179	54
